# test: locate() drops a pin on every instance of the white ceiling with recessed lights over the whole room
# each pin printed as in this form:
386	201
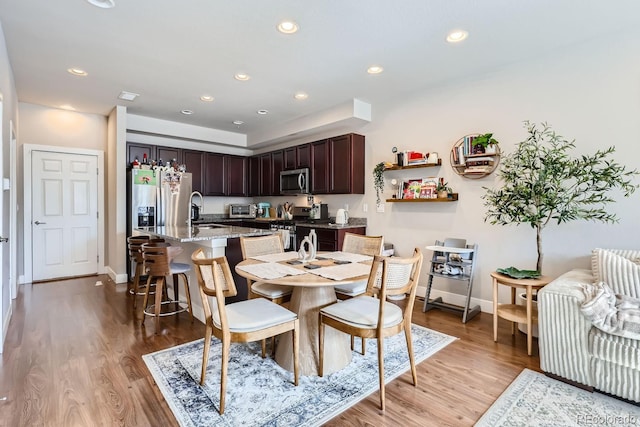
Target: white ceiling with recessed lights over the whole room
172	52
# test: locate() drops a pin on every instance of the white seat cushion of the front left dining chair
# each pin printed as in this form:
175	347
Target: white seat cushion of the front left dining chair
253	314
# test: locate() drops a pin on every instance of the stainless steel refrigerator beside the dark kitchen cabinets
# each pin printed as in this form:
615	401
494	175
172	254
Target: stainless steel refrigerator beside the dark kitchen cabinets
157	198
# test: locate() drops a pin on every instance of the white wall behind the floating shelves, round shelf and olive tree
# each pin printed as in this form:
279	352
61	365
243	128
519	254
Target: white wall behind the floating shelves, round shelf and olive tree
591	94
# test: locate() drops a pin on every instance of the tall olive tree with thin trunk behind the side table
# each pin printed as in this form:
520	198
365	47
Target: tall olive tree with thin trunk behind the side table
543	183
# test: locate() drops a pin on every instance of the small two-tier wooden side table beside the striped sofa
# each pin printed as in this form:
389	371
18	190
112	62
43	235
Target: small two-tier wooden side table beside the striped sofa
516	313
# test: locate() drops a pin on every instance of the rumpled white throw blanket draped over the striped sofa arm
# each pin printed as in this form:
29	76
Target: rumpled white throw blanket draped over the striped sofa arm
612	313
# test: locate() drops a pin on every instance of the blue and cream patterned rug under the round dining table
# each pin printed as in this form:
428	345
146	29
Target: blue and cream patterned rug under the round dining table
261	393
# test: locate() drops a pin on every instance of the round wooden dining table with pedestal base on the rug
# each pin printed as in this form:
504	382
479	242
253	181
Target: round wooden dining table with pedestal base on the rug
310	293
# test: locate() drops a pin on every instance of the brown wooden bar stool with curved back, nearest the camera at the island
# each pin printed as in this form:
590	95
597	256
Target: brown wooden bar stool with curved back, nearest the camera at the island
157	264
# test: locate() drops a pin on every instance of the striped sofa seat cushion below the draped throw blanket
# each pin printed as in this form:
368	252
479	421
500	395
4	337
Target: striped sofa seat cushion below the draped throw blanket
614	349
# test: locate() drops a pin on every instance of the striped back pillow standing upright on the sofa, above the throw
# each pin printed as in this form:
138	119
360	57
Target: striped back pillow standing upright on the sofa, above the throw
618	269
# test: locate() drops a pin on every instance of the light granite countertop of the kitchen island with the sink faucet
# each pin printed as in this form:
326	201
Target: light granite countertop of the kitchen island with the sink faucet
203	233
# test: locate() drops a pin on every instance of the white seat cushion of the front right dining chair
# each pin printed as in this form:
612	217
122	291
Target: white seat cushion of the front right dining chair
363	312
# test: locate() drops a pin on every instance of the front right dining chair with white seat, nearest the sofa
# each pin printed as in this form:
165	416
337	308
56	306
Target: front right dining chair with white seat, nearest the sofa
372	316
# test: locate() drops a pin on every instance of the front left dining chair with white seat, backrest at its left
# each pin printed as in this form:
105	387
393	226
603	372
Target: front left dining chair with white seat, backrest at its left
245	321
